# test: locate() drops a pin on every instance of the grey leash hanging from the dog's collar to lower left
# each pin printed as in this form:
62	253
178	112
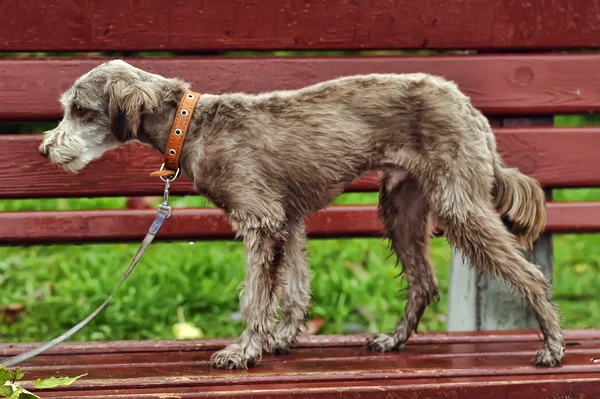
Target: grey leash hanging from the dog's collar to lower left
164	212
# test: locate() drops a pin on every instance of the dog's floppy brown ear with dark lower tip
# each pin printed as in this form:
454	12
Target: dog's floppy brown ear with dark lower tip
128	99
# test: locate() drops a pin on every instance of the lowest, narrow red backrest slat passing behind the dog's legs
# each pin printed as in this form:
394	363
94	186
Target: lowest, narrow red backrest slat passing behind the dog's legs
132	225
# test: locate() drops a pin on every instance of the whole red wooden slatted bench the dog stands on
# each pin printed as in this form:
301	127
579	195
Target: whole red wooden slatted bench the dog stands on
511	71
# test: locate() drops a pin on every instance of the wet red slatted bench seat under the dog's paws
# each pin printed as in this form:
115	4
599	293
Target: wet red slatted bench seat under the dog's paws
438	365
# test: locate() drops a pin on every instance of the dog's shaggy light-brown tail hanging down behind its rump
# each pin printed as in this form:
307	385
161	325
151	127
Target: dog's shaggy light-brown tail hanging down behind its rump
520	200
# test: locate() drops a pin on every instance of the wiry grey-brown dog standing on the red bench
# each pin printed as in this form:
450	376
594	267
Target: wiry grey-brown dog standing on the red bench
270	160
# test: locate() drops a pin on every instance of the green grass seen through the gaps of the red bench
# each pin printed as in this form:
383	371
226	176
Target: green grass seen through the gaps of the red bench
353	280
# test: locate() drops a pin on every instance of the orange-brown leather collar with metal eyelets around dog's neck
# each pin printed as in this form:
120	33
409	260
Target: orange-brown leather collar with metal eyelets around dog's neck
179	129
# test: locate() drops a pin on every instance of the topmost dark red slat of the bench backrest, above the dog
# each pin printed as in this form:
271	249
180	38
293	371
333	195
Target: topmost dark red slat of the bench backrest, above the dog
69	25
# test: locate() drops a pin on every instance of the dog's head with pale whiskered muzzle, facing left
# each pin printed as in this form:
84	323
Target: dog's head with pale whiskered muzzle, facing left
102	110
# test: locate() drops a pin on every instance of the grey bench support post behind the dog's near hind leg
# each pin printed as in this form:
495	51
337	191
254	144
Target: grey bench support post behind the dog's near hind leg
482	303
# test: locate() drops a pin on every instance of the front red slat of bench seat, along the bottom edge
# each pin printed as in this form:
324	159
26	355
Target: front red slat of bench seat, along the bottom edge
465	388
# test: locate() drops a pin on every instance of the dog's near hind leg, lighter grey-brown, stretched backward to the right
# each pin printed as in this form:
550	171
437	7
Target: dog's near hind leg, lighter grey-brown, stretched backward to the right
466	213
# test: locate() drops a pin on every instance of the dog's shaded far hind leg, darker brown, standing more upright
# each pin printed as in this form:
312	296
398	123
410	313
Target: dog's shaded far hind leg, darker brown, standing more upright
405	216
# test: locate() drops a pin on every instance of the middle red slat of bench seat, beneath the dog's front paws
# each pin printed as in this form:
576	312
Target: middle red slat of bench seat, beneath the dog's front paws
358	365
